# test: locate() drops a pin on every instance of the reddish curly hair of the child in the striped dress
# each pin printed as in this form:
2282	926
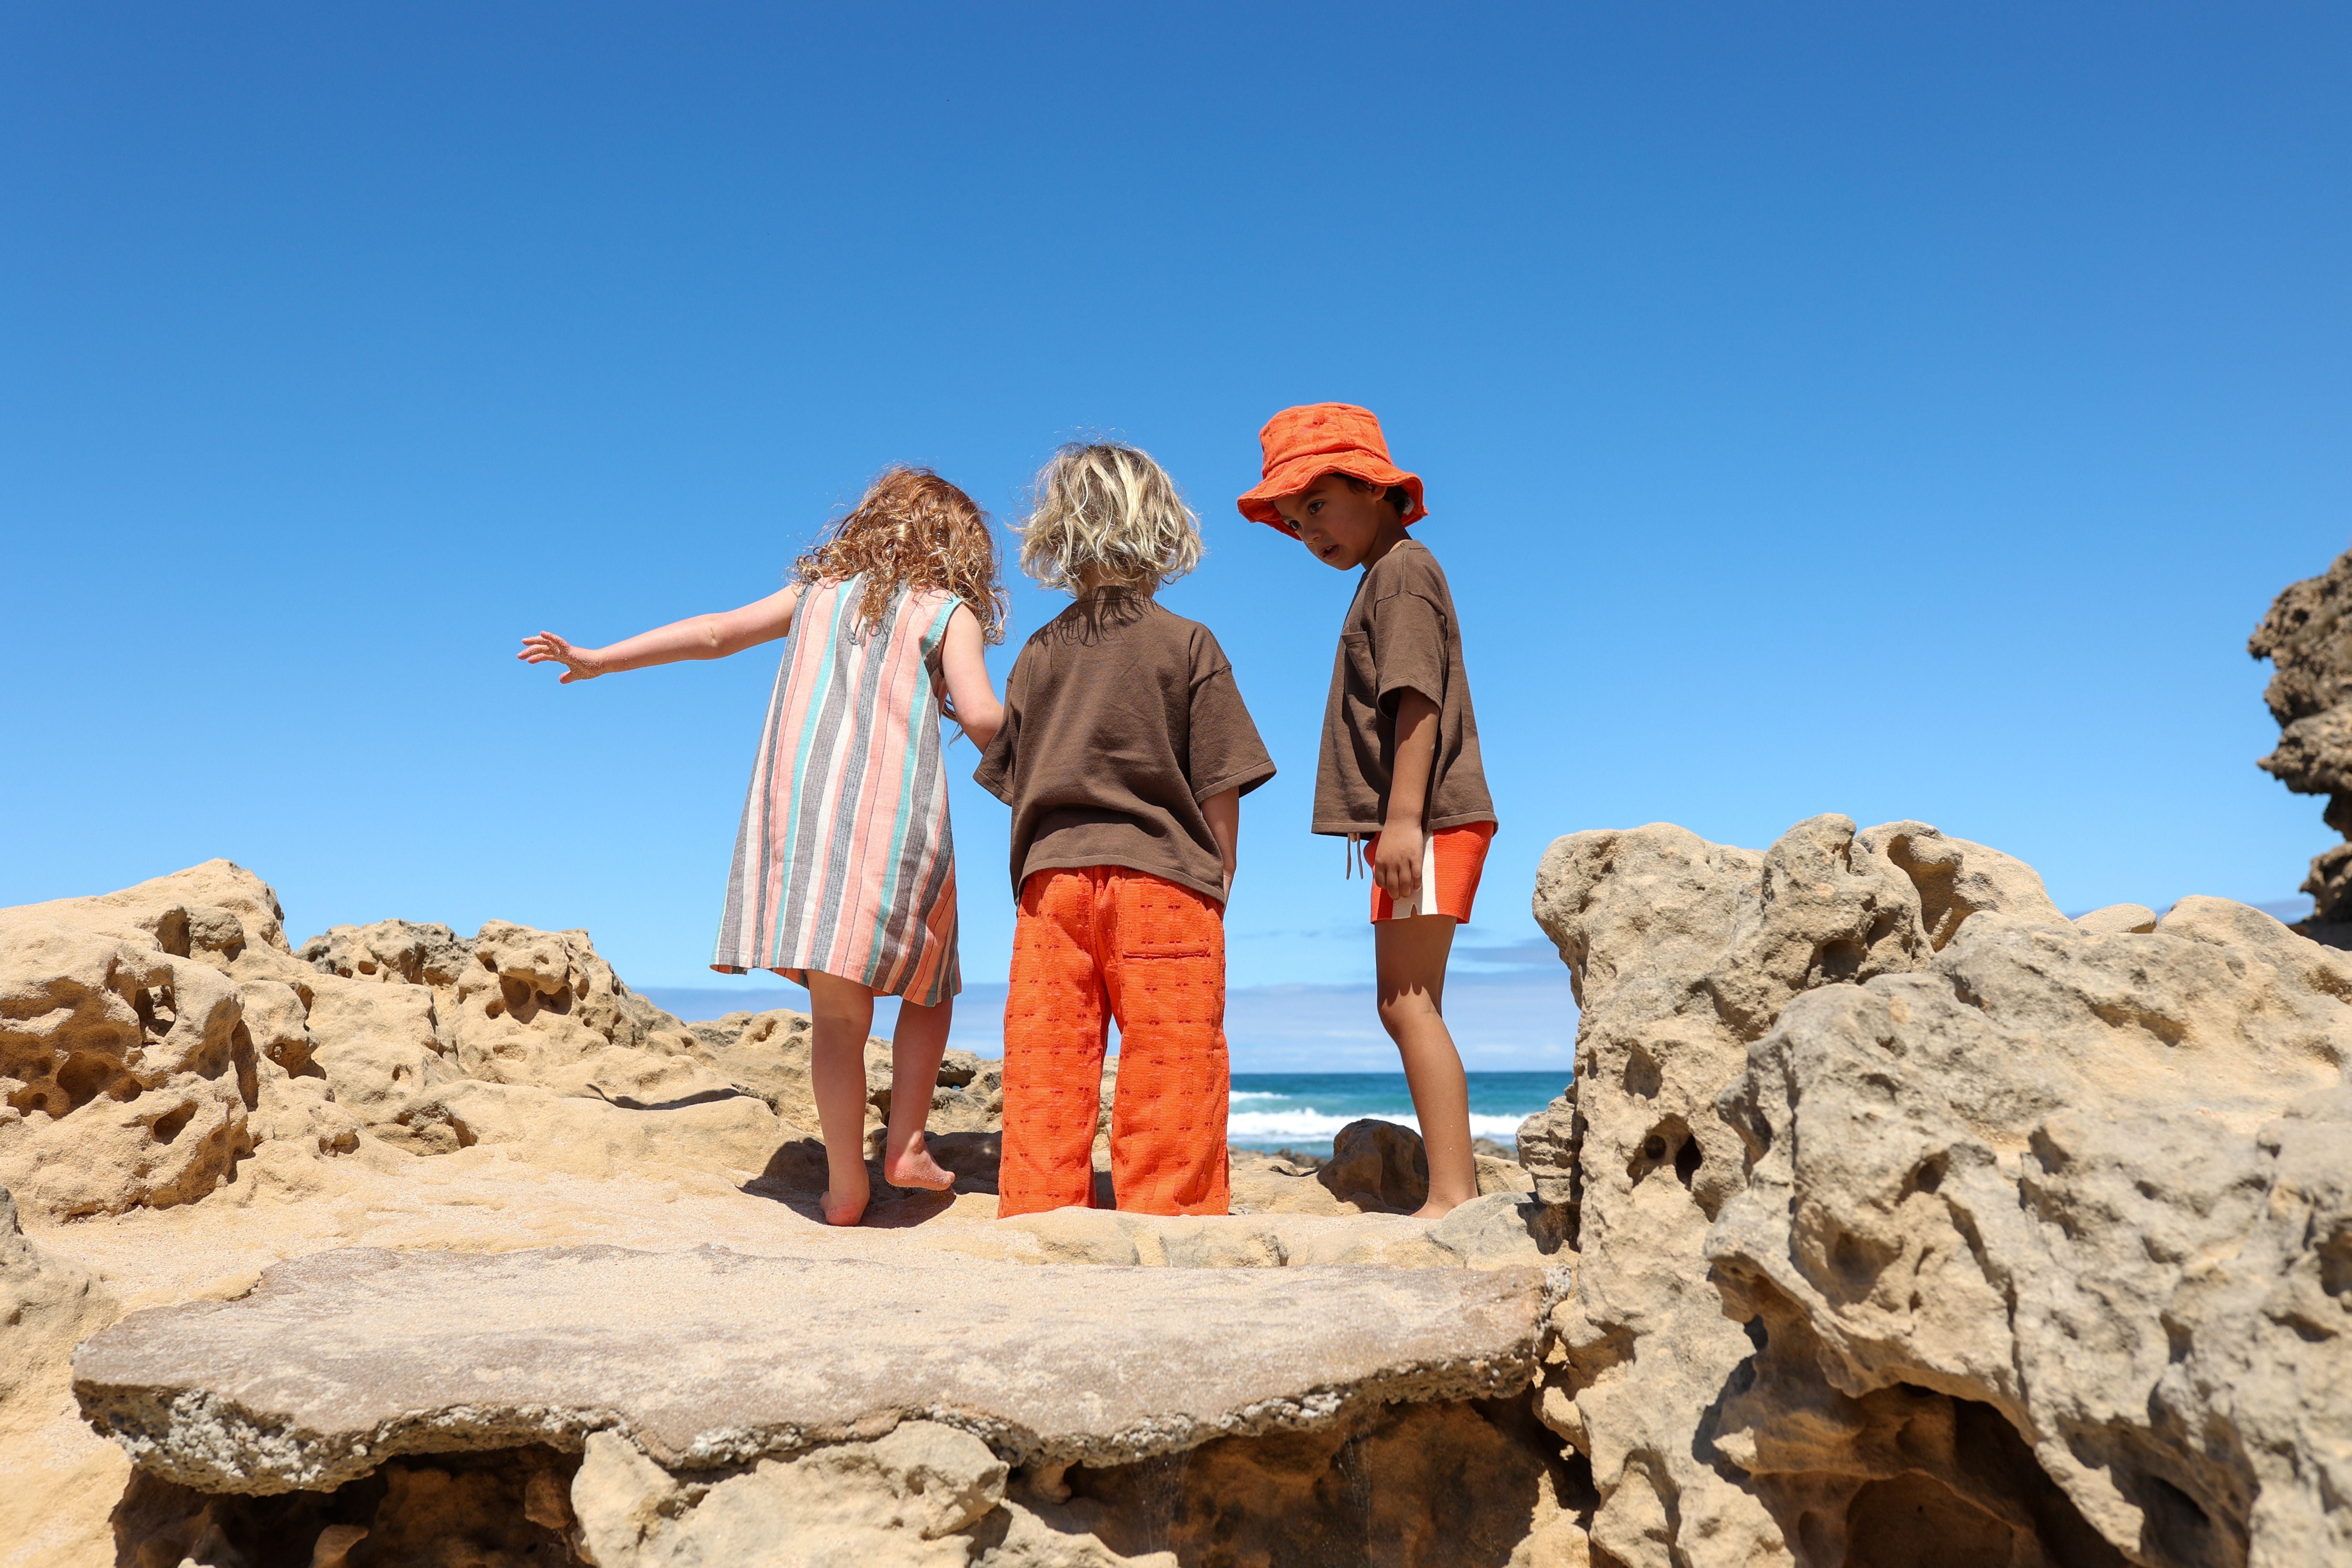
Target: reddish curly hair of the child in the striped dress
914	530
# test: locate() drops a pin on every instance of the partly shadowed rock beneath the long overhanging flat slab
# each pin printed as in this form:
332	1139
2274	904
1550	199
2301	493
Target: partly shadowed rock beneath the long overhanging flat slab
1457	1485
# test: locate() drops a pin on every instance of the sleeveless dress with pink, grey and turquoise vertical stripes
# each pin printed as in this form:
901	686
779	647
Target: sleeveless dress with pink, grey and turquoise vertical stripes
846	862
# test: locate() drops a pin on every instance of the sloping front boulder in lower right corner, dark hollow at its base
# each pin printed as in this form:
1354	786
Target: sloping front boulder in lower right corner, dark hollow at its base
2087	1181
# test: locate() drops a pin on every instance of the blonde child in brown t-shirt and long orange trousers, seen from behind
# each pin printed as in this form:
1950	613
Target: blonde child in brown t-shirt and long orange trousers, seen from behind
1125	756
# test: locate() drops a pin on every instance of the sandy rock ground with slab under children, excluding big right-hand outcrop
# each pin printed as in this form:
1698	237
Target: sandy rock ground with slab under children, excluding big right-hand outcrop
406	1087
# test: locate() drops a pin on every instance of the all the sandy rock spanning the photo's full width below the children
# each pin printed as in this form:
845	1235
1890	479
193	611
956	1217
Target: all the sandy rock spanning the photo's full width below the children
1892	1219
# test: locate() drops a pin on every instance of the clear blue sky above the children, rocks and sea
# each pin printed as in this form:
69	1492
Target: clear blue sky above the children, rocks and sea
1878	410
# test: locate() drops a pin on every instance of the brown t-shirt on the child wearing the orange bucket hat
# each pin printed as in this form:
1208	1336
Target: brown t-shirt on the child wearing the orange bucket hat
1401	636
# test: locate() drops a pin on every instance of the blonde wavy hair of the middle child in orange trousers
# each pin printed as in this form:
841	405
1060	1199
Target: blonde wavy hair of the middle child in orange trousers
1111	514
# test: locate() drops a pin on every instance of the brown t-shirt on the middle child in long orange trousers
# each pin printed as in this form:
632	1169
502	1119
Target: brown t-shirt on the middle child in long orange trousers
1118	721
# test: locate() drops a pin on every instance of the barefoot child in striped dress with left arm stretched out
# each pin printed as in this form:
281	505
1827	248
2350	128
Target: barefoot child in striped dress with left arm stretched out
846	869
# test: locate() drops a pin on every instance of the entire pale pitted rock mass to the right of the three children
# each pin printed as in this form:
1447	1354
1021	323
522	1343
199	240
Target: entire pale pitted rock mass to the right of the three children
1920	1224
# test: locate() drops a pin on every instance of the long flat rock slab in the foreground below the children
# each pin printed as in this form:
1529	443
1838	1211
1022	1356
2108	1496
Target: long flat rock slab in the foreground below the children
345	1360
